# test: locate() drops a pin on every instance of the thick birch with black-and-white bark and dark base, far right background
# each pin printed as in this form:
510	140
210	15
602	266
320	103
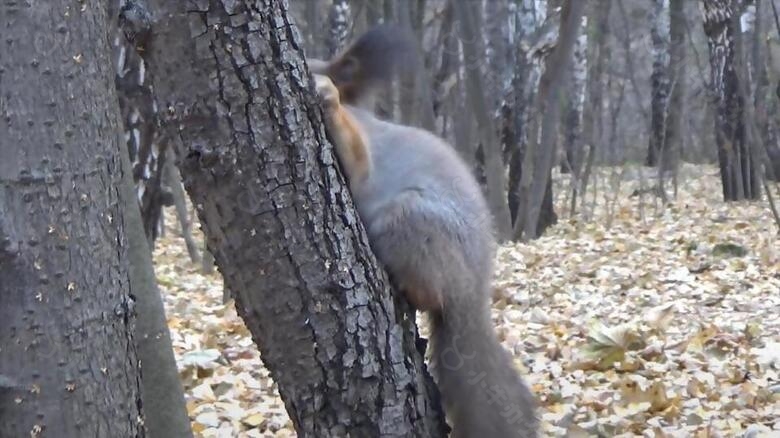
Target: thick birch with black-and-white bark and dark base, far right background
739	177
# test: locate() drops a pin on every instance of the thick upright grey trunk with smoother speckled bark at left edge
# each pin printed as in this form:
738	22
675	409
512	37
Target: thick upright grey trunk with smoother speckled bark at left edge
68	365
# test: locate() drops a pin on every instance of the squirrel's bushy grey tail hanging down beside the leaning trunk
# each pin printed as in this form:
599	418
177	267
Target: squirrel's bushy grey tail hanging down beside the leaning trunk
483	392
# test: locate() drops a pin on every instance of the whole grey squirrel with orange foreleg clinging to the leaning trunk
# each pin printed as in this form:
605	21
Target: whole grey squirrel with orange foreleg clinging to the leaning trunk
429	225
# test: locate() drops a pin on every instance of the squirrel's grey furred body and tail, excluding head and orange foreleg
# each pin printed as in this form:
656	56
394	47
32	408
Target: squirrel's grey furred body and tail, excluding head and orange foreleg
429	224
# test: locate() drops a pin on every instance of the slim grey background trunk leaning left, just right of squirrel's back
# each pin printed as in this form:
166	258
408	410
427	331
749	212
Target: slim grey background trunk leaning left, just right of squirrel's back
473	53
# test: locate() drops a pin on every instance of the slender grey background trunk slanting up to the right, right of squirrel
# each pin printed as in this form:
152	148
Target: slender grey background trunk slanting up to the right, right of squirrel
539	158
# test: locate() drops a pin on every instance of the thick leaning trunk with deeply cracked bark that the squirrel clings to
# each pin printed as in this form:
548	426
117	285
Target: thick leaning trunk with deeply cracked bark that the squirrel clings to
281	225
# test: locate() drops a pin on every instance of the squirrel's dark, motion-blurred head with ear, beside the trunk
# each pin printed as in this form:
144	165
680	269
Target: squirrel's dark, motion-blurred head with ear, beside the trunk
372	61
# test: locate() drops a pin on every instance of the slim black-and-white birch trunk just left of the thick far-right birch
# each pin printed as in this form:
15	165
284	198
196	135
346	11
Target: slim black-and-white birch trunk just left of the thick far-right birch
659	82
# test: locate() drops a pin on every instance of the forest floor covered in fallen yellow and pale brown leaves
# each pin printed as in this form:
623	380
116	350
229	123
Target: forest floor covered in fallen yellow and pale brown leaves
630	319
